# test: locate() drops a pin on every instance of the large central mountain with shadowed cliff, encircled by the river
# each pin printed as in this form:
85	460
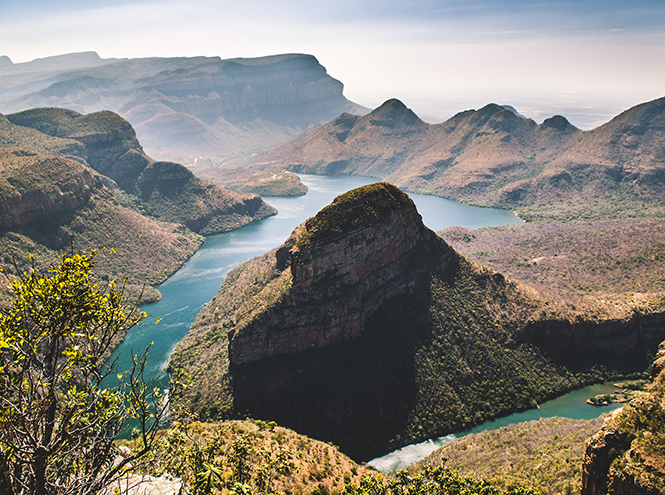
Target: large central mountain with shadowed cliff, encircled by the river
367	330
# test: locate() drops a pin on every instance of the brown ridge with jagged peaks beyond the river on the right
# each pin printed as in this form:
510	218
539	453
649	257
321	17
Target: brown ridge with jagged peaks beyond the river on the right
495	157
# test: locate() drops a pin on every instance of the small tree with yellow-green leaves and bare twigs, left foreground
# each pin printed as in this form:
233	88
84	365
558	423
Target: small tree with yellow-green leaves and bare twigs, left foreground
58	422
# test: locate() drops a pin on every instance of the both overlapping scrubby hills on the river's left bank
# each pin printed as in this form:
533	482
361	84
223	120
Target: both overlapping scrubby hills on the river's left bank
73	181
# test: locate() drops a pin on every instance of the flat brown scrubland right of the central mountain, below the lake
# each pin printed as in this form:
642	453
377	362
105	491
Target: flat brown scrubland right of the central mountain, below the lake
608	269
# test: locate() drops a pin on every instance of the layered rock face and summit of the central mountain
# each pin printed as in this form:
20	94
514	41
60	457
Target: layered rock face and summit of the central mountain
340	267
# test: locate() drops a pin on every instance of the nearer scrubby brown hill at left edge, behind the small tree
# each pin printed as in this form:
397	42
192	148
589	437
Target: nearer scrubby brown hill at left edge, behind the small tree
147	250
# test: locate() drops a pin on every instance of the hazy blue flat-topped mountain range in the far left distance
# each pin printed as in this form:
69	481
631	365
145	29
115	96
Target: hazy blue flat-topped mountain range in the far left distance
184	109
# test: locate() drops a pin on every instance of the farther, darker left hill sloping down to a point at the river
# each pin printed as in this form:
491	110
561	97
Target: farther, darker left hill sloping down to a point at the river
165	191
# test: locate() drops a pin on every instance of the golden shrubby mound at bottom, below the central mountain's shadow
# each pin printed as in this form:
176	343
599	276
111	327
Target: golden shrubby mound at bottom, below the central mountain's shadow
293	463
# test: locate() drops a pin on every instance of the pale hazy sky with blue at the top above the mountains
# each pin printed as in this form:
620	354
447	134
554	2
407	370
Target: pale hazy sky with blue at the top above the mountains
587	60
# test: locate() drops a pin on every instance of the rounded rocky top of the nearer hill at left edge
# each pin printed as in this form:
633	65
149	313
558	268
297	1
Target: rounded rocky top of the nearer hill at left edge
35	187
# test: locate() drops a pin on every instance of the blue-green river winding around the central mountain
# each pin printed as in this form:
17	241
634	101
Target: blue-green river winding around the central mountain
191	287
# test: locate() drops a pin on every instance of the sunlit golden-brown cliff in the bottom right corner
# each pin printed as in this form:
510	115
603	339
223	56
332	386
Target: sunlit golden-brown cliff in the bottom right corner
627	456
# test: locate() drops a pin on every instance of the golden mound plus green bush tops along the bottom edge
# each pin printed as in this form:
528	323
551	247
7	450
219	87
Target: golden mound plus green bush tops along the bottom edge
252	457
